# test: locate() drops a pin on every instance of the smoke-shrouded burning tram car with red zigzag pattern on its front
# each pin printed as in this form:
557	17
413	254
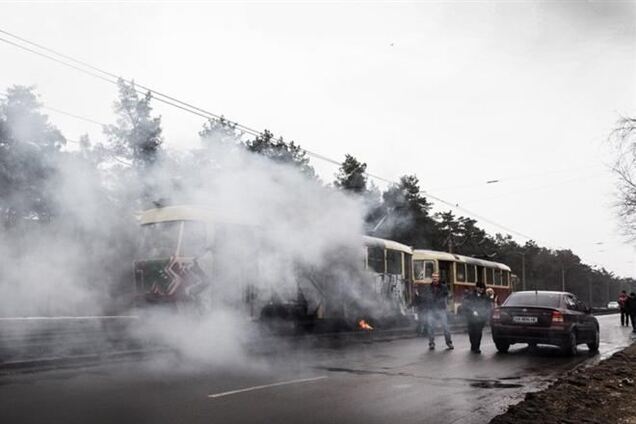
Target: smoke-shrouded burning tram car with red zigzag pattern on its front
192	258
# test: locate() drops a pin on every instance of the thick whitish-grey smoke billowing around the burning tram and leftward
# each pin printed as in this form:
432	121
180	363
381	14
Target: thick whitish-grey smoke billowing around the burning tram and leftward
298	233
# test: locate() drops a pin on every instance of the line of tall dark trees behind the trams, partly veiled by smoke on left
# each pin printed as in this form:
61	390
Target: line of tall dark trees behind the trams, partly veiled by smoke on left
31	146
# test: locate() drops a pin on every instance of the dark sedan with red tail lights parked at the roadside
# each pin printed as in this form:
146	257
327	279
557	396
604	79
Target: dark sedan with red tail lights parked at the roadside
544	317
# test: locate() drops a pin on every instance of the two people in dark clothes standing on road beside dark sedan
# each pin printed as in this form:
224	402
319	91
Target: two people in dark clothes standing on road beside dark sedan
431	304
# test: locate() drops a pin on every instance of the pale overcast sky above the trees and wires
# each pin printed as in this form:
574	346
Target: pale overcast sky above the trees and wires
458	93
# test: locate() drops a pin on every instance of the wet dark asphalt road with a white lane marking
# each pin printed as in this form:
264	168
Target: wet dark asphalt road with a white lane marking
397	381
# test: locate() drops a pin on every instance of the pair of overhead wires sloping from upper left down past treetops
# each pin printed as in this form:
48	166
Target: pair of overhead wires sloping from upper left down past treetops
172	101
